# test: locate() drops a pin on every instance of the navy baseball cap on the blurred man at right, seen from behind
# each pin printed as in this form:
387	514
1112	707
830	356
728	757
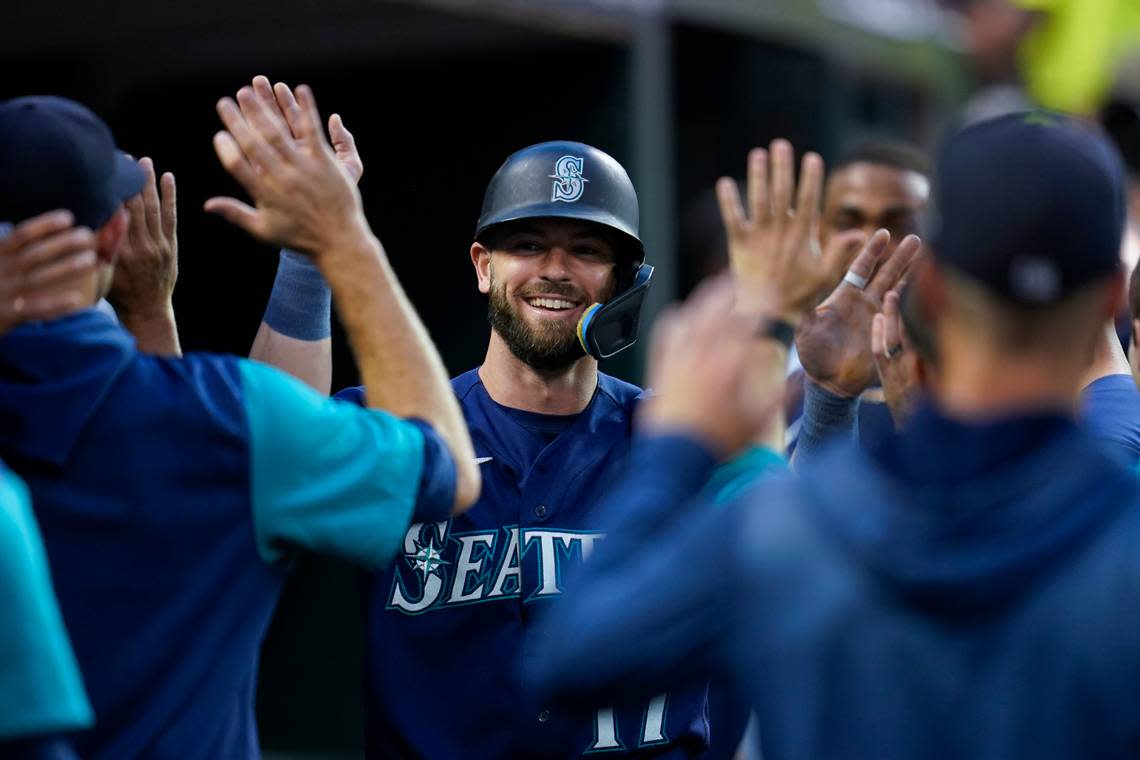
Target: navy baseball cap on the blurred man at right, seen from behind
1031	206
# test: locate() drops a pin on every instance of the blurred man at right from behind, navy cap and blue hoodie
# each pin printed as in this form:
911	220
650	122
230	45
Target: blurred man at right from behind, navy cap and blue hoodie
921	585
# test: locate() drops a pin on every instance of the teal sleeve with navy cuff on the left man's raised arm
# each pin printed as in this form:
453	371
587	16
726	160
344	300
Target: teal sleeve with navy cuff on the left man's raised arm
332	478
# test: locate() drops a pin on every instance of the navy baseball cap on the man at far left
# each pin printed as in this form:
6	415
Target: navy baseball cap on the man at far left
58	154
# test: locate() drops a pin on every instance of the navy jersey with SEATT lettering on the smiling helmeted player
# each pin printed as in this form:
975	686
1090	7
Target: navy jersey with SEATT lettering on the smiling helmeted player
447	624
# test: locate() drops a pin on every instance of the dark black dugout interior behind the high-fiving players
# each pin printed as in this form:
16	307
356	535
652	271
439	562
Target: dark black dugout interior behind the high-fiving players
437	100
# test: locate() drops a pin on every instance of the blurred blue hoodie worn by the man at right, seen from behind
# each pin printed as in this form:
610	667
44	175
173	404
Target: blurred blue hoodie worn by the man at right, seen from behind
959	592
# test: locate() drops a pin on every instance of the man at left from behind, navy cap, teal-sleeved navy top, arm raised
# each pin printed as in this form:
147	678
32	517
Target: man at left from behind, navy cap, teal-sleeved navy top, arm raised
173	494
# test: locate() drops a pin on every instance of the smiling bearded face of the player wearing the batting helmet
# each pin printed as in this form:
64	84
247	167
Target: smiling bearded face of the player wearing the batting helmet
541	276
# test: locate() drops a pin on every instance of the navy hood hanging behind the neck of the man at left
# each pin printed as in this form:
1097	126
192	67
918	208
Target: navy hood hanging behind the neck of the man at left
53	378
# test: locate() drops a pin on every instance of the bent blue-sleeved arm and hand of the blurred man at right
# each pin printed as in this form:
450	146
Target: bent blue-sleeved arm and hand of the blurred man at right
630	624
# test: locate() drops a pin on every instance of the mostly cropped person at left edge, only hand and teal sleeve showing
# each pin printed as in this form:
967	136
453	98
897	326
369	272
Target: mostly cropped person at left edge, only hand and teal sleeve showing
43	264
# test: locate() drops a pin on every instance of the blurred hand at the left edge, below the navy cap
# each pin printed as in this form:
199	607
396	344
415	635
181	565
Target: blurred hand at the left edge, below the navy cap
45	269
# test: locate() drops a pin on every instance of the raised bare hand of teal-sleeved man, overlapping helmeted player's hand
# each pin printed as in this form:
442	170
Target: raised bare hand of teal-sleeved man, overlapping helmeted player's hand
305	199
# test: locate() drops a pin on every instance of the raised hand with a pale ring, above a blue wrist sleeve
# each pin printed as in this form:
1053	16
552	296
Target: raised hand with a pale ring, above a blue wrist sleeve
834	341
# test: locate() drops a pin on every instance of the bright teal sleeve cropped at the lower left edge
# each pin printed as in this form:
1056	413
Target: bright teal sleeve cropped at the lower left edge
42	691
